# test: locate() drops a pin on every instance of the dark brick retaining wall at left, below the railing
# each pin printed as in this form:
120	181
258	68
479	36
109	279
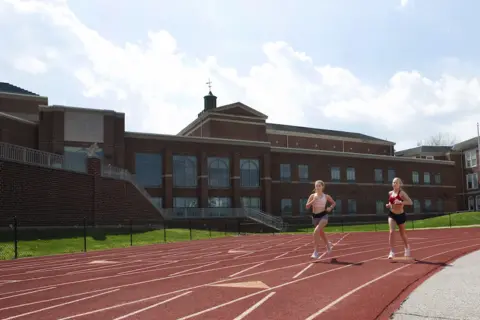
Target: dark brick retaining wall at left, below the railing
50	197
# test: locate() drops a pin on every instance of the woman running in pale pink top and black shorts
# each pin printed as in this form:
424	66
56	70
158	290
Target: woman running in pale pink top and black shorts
318	200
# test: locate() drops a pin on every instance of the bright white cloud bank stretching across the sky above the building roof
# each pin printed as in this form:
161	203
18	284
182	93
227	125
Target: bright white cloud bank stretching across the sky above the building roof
160	87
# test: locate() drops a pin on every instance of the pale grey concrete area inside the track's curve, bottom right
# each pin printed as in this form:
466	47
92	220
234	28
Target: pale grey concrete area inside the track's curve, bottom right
451	294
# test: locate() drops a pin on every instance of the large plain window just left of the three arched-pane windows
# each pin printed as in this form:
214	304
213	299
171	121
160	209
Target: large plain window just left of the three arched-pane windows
148	169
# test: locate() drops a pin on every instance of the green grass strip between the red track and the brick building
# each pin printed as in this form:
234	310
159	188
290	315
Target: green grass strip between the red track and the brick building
56	241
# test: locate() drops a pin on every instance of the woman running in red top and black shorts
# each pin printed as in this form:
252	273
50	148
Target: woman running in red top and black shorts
397	198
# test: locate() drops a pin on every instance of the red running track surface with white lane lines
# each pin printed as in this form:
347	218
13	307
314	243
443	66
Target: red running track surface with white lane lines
245	277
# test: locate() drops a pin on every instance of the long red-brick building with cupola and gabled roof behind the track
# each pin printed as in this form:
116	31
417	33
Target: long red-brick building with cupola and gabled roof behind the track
231	157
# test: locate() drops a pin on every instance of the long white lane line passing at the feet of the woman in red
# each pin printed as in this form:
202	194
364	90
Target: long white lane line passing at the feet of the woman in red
296	281
